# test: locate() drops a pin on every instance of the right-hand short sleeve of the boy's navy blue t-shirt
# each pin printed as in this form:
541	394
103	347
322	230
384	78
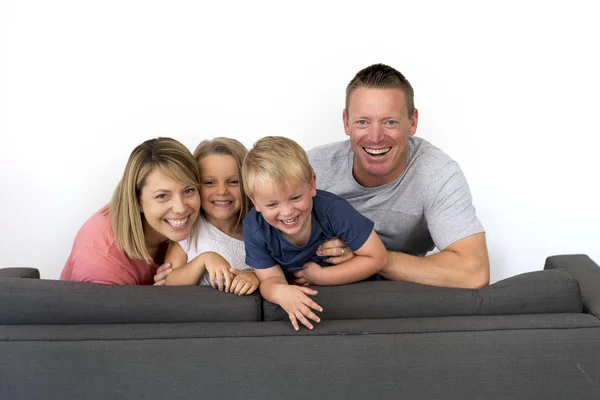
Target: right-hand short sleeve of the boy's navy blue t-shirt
348	224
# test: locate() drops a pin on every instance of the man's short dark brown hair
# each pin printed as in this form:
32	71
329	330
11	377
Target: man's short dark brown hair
381	76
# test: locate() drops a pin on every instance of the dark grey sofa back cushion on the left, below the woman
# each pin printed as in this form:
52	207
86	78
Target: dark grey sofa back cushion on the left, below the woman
33	301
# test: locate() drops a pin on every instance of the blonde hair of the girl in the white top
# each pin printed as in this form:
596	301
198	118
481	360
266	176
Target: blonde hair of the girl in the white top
227	147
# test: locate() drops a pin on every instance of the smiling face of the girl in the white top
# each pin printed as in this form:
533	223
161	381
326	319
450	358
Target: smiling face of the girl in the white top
220	188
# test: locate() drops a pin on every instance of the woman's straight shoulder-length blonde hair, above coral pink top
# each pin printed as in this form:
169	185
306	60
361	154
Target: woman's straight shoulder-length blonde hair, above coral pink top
171	159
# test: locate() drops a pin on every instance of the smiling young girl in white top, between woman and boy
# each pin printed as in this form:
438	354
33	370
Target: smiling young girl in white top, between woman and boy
224	205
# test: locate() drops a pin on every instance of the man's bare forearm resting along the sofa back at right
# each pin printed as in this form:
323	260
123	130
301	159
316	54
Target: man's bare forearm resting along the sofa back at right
446	268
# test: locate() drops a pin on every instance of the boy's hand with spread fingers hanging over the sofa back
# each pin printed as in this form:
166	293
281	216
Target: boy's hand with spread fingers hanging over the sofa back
294	300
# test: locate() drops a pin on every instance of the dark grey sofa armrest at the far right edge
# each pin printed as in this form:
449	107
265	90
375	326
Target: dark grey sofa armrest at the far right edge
587	273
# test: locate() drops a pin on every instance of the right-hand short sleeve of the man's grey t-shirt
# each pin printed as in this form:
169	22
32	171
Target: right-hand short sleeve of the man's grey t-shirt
449	209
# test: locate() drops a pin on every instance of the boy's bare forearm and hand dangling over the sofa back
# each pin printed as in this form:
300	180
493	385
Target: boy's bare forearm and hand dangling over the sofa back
293	299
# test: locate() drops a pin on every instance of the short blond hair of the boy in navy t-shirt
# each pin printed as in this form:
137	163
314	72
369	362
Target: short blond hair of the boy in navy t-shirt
275	159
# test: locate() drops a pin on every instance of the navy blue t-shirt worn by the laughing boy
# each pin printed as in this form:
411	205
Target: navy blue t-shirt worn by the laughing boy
332	216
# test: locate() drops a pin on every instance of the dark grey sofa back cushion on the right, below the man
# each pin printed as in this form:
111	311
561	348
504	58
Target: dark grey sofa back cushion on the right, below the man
539	292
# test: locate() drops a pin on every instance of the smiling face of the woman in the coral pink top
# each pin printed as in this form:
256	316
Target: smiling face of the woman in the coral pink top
169	208
